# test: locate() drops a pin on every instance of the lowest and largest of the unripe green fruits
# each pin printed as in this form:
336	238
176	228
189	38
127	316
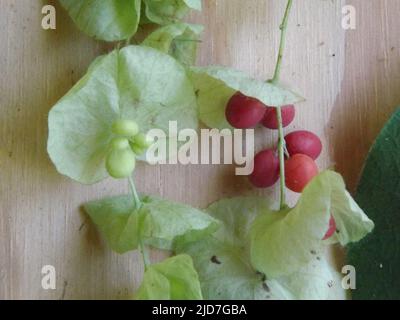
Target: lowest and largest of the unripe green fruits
120	163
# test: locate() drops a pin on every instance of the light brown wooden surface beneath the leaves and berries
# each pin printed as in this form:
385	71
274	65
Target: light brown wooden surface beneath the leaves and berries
351	81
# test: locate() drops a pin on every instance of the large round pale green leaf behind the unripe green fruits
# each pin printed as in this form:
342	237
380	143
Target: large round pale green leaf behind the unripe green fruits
136	83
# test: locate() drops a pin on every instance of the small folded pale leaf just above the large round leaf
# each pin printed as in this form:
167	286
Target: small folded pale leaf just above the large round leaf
180	40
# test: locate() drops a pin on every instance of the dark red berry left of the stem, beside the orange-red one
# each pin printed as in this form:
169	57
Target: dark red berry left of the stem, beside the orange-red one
266	169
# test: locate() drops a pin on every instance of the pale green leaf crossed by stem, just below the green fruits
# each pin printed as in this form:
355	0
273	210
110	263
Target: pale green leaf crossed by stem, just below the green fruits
160	223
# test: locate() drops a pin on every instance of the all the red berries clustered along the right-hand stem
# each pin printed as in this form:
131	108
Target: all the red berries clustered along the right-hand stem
302	147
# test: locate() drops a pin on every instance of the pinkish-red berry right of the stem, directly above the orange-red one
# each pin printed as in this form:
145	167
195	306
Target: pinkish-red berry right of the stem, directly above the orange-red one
303	142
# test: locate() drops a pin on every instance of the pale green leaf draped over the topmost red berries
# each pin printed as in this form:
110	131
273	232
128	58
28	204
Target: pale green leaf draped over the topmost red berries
215	85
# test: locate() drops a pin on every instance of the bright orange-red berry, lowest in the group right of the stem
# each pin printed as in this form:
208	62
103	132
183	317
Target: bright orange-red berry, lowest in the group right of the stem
299	171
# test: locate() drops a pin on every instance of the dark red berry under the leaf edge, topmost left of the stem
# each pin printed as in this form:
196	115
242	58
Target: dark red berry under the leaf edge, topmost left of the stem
244	112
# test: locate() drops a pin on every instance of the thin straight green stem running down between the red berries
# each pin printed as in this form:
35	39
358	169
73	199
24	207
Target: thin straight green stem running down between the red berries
275	79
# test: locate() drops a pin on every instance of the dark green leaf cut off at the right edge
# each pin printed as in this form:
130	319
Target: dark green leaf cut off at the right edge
377	257
